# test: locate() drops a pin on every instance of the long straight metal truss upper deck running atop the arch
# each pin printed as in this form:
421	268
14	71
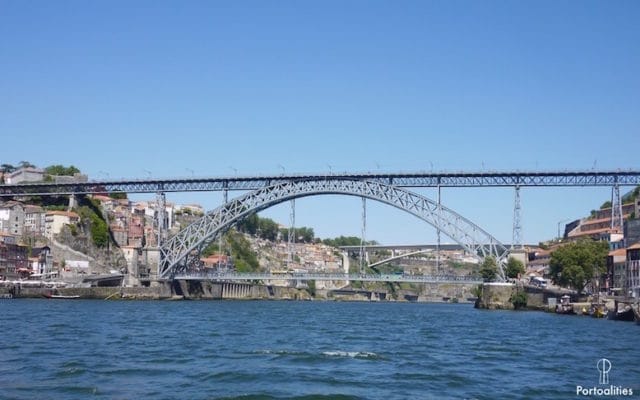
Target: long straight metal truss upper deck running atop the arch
418	179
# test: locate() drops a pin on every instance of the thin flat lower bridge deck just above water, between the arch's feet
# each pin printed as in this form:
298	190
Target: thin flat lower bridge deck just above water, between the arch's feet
231	276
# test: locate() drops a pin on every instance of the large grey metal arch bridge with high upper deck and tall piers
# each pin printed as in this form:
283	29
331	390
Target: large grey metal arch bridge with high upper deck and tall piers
180	254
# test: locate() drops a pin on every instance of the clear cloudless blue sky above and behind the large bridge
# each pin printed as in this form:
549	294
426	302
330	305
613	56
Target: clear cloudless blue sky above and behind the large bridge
210	88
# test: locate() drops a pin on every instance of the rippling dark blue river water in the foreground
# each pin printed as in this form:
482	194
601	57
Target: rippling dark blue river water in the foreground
78	349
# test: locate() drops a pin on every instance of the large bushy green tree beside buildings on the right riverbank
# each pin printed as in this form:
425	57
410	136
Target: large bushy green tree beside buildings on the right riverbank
577	263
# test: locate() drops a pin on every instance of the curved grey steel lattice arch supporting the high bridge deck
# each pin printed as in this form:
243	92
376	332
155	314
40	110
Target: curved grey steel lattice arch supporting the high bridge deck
175	252
